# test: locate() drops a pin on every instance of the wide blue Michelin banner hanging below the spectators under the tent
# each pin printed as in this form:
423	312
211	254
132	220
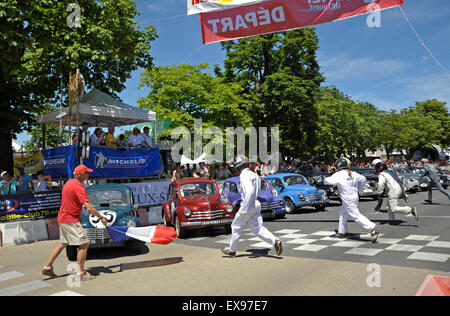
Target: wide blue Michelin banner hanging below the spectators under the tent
111	163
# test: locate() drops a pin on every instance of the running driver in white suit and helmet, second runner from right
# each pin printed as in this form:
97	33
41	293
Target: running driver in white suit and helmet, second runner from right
392	187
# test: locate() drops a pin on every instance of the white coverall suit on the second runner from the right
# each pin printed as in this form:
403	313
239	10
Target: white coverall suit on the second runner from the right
393	191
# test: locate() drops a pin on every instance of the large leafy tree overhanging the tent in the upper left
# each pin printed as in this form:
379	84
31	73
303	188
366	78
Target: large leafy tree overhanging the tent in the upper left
38	49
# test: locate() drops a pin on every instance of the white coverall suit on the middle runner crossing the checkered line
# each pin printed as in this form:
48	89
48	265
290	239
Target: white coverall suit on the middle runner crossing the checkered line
348	187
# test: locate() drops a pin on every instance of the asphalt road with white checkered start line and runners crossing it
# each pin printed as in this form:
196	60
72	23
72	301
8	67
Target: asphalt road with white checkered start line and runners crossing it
312	263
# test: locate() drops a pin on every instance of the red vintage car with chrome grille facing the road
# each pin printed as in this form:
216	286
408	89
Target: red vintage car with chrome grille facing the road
196	203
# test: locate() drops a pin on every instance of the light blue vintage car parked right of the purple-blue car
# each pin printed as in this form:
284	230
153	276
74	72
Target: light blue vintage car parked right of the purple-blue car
296	192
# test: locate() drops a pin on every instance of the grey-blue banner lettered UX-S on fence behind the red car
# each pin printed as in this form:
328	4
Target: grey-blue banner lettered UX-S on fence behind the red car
149	193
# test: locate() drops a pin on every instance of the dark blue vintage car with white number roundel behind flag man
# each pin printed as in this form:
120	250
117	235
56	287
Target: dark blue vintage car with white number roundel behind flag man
115	203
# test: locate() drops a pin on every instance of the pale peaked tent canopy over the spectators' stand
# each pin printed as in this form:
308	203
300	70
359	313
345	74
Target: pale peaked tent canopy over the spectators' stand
100	110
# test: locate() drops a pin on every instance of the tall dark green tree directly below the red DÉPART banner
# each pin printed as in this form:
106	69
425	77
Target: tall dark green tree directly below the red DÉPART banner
281	77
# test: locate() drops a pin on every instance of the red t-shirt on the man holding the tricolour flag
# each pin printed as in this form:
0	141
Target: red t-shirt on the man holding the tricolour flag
73	196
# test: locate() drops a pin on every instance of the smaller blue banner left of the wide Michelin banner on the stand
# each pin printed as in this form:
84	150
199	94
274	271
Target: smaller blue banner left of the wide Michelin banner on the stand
59	162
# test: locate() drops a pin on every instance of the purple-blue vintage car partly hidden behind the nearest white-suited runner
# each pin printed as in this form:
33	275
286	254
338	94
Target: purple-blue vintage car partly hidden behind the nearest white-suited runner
271	206
